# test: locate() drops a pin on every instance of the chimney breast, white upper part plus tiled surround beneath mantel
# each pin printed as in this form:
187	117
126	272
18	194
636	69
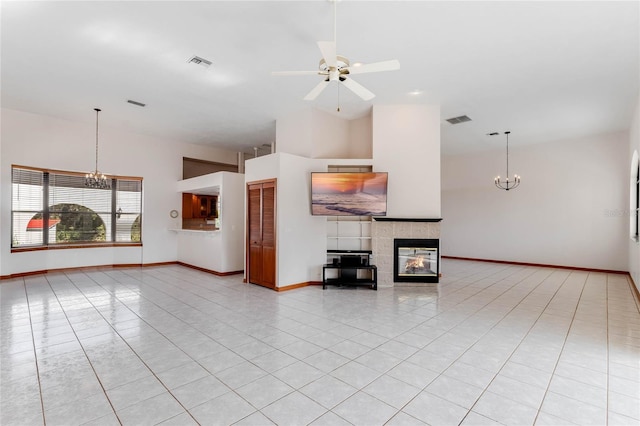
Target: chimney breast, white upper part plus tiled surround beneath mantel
406	144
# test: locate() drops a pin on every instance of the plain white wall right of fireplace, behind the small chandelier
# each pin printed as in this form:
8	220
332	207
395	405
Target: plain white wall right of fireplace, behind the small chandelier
565	212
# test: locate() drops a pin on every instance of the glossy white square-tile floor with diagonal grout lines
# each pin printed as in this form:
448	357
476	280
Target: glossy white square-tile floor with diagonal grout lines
491	344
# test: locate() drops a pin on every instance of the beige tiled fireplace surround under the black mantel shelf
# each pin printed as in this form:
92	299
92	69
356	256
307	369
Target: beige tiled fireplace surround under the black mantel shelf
383	234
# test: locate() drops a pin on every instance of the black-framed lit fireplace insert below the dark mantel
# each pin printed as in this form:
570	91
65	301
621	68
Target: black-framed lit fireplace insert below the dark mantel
416	260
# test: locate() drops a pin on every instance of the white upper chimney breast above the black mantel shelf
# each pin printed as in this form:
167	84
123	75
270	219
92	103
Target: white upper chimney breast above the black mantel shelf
406	143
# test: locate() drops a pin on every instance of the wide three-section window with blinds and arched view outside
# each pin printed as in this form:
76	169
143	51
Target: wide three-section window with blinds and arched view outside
54	209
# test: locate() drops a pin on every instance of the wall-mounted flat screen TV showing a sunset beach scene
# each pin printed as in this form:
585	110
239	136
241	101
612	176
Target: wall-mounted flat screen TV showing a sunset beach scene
349	194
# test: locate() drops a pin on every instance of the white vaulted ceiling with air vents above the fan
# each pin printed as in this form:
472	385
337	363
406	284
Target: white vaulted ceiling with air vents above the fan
544	70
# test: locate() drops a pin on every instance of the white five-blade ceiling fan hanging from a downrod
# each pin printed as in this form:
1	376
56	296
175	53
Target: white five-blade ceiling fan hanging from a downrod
334	67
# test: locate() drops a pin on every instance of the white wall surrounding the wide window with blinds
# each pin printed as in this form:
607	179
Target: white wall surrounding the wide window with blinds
40	141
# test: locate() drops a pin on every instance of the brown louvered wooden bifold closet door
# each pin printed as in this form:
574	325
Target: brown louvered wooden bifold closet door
261	250
